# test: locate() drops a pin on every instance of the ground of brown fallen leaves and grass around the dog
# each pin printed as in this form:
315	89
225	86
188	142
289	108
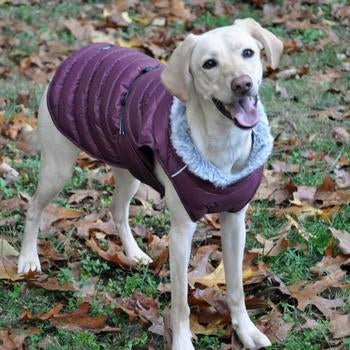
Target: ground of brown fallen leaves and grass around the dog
81	250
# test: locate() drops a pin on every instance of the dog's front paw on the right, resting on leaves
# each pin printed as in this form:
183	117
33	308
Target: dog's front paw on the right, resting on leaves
249	334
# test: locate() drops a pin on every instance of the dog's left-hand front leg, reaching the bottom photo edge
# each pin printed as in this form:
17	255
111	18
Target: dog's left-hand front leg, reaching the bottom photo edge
181	233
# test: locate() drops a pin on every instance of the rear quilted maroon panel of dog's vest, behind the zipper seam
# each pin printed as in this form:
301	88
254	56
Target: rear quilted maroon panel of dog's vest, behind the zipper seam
84	97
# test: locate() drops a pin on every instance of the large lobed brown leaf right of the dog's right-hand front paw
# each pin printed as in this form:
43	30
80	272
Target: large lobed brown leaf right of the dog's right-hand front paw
307	293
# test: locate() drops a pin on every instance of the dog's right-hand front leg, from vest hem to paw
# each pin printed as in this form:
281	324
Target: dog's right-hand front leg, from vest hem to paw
233	241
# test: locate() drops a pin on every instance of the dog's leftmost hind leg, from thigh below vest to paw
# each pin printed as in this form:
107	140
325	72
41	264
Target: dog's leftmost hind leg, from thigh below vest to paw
57	158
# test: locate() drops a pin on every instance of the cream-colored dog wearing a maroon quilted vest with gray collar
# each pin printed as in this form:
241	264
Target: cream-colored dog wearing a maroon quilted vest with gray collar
211	93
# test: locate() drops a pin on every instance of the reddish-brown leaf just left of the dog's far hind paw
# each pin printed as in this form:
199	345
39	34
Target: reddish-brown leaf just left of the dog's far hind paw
114	253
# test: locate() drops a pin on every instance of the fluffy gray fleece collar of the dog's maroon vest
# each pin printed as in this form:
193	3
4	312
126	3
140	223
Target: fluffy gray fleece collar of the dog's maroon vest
185	148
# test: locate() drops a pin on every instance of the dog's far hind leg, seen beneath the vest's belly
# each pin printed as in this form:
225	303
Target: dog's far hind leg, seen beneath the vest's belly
126	187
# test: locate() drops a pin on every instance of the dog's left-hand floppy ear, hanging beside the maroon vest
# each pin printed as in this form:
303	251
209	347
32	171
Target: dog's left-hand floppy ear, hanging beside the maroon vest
176	76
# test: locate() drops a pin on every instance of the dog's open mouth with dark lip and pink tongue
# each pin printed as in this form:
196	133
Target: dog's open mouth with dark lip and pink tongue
243	112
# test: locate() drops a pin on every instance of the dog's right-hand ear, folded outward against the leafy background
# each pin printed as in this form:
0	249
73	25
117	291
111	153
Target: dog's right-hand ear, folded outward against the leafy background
271	43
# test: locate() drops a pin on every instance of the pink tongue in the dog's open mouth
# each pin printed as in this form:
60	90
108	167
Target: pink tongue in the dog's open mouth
244	112
